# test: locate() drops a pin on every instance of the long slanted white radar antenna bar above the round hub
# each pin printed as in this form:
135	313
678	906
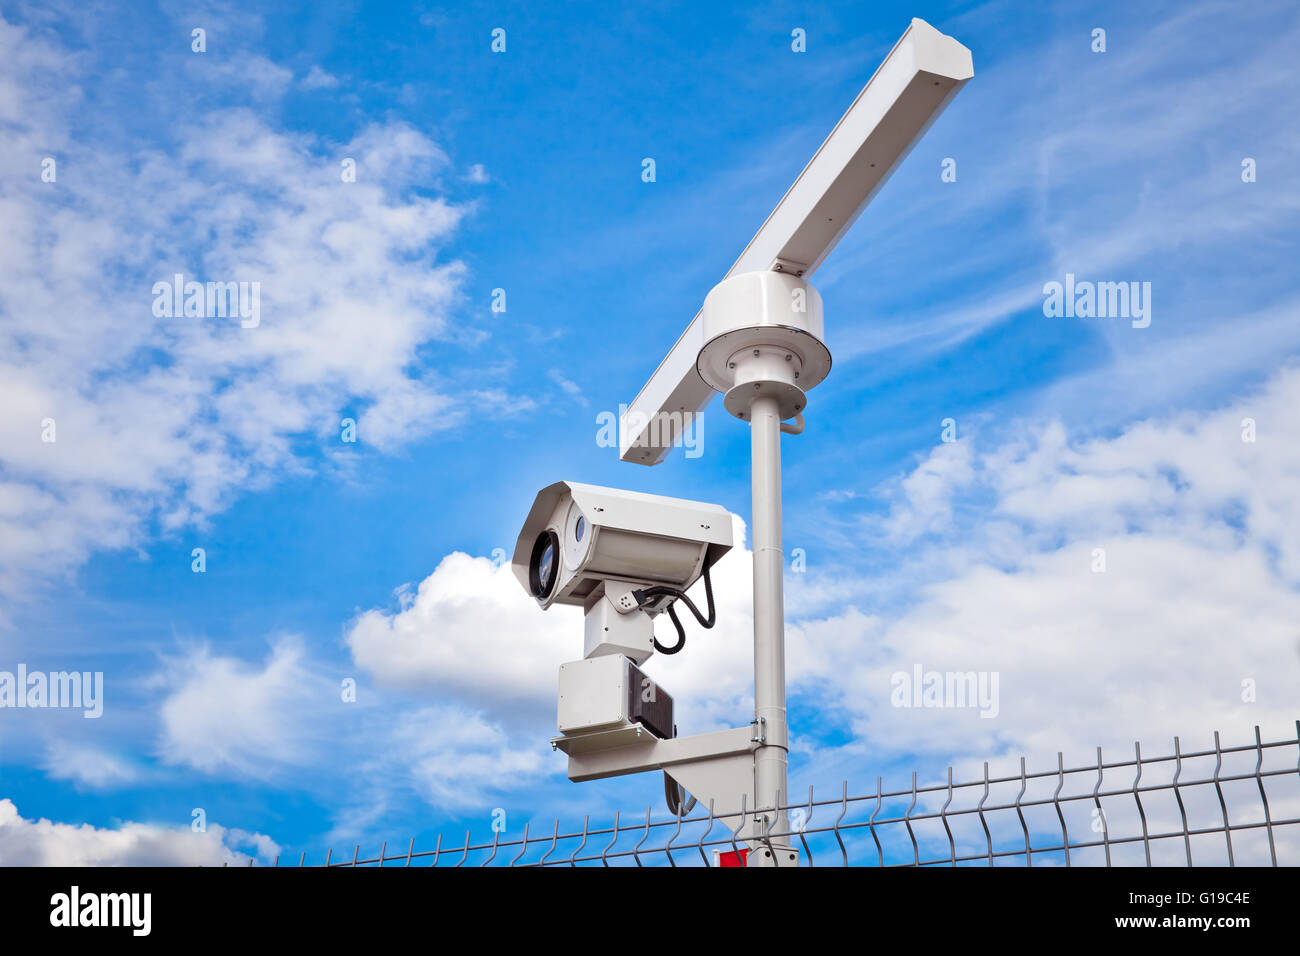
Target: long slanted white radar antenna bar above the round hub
905	96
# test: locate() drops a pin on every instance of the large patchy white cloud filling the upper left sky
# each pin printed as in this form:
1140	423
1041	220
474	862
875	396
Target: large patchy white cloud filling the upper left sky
170	419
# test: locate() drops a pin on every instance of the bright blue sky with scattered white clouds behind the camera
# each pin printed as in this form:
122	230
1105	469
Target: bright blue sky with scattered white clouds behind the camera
522	171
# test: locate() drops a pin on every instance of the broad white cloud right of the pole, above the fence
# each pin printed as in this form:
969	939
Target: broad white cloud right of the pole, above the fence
1202	540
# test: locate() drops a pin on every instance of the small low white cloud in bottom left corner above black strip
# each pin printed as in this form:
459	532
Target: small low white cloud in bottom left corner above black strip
45	843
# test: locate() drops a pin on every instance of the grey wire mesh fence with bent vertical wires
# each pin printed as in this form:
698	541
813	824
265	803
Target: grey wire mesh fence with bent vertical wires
1227	807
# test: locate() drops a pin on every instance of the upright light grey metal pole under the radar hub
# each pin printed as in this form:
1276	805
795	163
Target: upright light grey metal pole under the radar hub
772	756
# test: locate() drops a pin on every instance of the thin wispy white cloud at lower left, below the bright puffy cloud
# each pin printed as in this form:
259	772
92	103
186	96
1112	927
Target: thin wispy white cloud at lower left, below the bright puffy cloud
285	720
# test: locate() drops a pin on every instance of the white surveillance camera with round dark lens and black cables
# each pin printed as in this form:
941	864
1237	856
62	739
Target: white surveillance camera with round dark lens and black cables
622	556
